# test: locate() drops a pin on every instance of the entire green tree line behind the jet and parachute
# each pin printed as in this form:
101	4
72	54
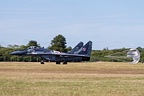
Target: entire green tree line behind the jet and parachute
59	43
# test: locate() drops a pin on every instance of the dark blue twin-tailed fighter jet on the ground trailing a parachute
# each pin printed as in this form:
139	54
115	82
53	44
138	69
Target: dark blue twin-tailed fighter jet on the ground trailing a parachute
77	54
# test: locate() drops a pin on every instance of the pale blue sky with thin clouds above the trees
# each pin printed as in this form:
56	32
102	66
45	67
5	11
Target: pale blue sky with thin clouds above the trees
109	24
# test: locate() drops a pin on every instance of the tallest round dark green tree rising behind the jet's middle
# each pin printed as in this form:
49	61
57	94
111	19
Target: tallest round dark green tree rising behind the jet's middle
58	43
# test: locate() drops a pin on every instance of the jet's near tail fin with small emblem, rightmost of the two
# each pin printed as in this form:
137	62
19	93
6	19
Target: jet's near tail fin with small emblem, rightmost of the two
86	49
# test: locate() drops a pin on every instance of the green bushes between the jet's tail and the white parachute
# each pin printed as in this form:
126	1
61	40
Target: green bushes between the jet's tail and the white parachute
115	55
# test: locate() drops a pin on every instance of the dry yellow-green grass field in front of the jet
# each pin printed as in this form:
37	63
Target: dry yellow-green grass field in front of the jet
74	79
